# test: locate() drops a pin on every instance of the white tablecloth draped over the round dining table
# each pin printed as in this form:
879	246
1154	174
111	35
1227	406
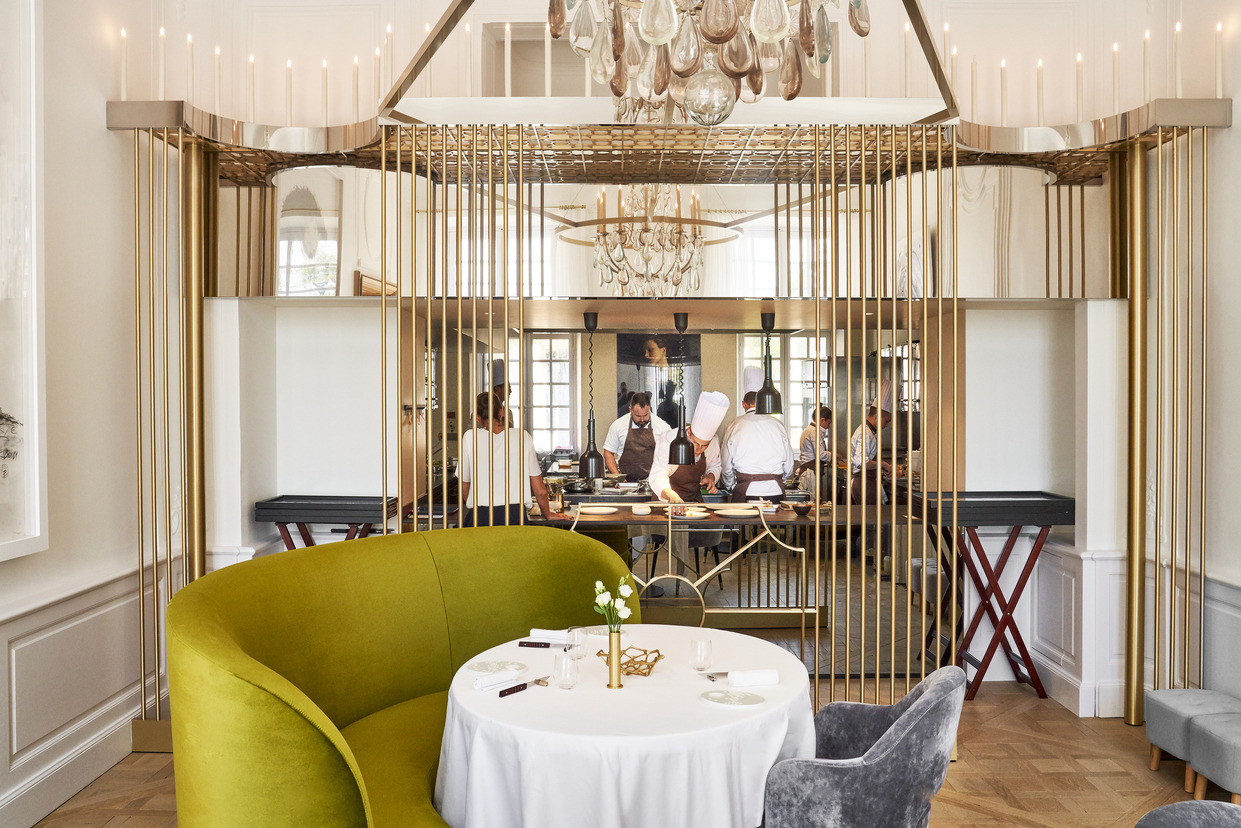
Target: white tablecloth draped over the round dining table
651	754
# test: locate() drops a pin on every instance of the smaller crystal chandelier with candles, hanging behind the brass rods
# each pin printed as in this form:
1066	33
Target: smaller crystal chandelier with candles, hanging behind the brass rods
645	250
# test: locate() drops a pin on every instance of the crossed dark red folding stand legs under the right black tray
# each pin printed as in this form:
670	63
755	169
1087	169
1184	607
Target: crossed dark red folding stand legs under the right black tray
988	585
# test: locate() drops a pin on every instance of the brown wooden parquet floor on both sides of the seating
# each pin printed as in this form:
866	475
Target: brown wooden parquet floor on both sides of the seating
1022	762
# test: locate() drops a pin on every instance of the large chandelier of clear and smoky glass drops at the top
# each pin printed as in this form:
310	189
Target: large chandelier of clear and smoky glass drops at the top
663	59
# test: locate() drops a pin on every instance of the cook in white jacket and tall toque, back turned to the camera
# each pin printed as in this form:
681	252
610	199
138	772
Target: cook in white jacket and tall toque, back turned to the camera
756	455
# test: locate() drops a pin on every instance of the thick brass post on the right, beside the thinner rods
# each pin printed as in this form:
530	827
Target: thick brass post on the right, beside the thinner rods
1135	654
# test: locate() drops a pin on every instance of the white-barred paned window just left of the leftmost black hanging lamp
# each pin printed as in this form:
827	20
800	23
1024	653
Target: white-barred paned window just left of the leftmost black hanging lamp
550	399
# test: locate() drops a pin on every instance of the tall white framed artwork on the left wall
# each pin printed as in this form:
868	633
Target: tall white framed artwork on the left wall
23	454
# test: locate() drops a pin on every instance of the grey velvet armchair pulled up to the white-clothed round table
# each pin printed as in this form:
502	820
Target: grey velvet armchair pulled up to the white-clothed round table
876	765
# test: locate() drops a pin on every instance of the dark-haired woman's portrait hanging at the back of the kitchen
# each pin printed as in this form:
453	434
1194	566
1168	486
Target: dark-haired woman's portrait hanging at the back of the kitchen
653	364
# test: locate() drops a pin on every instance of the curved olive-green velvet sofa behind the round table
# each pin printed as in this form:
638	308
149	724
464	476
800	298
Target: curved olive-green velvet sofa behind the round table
310	688
